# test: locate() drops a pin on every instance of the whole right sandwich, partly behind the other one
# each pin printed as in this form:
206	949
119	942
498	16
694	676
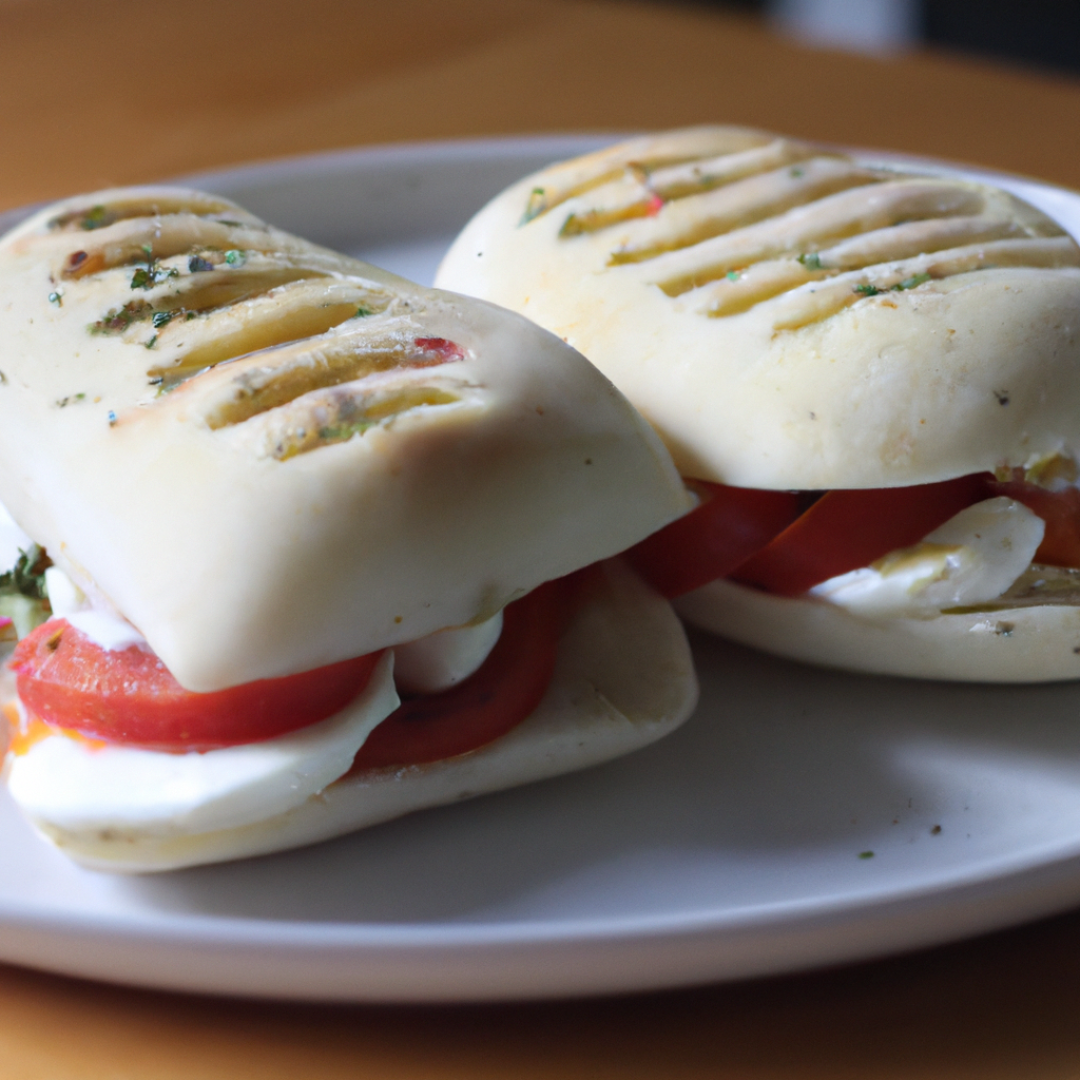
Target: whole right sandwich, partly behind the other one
870	375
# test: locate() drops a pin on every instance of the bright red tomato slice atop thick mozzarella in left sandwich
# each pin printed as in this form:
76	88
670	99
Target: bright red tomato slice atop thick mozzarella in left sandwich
130	697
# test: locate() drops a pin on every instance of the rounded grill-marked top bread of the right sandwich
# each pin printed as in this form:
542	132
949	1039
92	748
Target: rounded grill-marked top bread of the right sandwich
791	318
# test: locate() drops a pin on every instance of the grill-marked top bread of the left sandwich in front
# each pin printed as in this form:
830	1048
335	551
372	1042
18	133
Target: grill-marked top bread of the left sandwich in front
271	457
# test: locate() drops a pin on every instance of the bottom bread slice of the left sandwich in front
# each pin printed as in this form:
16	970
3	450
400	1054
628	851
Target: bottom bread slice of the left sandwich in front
624	679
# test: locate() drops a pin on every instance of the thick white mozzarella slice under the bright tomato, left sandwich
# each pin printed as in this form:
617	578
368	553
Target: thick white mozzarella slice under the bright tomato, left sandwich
86	788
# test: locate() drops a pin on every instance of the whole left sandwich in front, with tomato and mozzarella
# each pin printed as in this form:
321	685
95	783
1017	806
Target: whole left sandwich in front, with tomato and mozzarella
298	546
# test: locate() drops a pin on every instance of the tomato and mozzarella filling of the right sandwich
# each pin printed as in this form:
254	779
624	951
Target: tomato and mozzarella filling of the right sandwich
985	541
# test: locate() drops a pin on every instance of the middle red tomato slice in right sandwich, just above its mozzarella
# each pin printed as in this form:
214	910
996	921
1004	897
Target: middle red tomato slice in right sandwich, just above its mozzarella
846	530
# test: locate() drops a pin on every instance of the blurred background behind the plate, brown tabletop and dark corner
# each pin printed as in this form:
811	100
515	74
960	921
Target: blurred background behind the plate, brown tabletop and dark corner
102	92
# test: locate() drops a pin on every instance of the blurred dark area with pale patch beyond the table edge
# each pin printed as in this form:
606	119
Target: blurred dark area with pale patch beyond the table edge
1037	33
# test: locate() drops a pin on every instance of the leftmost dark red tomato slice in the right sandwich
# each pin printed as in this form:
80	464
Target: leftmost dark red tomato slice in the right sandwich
721	533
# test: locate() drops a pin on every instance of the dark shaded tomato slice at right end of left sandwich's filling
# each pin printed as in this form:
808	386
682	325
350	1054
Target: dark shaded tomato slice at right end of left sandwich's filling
494	700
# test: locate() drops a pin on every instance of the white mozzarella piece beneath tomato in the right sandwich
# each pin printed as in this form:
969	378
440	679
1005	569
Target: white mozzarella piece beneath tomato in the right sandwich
973	559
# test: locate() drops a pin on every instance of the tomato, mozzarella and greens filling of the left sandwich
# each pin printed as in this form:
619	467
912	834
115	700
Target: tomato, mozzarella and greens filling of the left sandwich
102	738
